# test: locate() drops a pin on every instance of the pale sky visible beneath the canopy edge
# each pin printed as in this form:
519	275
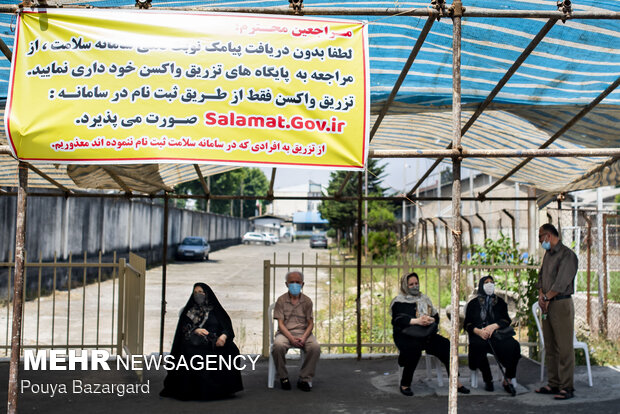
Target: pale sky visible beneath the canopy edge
398	171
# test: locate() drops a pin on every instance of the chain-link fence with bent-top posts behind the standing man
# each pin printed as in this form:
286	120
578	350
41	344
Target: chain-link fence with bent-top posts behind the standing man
593	235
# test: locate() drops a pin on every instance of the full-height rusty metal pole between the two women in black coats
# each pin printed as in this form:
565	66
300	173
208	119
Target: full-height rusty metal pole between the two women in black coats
456	206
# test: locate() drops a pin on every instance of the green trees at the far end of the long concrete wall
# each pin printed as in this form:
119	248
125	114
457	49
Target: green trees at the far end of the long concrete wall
246	181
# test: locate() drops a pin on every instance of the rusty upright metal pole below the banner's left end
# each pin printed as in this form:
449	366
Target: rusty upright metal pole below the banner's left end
18	287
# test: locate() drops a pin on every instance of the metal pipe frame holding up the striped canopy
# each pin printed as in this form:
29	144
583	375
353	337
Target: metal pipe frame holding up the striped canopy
455	151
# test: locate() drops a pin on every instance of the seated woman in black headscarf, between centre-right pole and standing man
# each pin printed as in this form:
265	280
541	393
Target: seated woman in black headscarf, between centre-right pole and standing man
485	314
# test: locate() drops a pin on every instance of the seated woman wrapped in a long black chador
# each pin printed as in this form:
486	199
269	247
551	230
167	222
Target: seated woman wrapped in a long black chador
204	328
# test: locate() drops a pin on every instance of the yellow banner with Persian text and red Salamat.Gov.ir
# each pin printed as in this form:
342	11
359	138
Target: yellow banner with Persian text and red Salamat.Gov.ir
112	86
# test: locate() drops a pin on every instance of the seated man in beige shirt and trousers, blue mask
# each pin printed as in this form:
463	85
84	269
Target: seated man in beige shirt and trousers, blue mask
293	311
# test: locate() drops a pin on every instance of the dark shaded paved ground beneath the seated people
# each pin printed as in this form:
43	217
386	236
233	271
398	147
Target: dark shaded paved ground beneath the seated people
342	386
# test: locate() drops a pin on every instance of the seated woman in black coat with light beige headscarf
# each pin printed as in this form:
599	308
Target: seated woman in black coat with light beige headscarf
412	308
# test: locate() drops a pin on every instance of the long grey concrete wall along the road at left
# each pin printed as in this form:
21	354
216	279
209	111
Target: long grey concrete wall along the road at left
71	226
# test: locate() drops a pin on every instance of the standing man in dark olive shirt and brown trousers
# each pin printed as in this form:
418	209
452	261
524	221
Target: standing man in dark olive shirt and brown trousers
555	287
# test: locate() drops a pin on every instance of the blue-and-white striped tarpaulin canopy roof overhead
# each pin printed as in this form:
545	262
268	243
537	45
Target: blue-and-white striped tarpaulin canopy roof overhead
572	65
